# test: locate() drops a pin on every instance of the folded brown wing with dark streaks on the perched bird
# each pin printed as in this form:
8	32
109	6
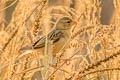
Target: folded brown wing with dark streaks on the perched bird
53	36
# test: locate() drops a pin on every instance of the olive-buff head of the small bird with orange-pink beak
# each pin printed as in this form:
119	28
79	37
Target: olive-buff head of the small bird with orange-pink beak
65	23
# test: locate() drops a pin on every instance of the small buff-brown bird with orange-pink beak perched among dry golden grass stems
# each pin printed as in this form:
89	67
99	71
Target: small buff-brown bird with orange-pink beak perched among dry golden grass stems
58	36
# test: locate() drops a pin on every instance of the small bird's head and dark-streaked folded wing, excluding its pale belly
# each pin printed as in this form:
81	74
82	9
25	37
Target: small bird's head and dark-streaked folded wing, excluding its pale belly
63	25
